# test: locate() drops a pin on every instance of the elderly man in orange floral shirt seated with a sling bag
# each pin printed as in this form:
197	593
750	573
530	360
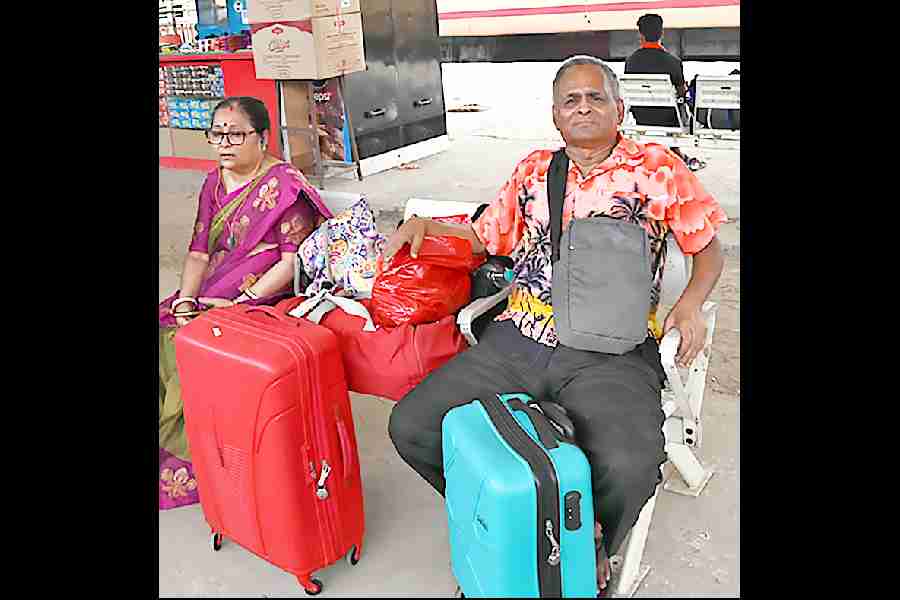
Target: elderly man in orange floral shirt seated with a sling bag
613	399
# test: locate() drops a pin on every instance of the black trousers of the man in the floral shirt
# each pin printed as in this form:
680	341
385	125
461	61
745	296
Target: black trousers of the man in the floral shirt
612	400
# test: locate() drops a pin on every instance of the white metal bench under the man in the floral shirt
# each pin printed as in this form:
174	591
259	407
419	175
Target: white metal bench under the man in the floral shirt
681	400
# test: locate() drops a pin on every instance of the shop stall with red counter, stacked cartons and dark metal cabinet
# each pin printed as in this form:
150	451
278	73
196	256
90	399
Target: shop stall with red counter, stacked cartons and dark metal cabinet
347	84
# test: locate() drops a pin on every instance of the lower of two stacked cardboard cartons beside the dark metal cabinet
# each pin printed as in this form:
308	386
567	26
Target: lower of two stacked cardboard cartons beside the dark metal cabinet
311	49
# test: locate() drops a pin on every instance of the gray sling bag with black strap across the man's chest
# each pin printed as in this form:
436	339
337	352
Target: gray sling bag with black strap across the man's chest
601	275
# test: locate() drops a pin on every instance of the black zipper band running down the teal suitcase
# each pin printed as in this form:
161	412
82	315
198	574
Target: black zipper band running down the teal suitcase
549	572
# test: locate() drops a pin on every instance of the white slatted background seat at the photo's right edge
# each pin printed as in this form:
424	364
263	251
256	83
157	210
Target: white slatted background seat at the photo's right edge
721	92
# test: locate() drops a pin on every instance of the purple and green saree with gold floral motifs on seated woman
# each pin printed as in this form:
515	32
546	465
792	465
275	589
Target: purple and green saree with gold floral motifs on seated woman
244	233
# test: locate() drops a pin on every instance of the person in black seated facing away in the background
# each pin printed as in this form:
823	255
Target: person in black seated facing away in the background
652	58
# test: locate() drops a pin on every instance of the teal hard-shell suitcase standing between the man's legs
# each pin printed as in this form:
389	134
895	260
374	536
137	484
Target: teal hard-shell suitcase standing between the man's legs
519	503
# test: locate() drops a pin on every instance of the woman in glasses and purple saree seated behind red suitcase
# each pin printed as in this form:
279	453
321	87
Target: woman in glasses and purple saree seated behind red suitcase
254	212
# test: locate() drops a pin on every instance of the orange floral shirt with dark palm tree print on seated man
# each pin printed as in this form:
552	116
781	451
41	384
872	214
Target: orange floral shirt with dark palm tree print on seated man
644	183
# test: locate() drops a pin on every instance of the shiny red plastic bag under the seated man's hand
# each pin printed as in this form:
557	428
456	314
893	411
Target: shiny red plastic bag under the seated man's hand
427	288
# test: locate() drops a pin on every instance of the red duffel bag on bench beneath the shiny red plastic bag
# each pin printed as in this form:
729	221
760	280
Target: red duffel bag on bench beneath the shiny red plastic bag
392	361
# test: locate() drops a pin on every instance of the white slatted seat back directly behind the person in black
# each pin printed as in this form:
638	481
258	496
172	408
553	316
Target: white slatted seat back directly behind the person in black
654	90
